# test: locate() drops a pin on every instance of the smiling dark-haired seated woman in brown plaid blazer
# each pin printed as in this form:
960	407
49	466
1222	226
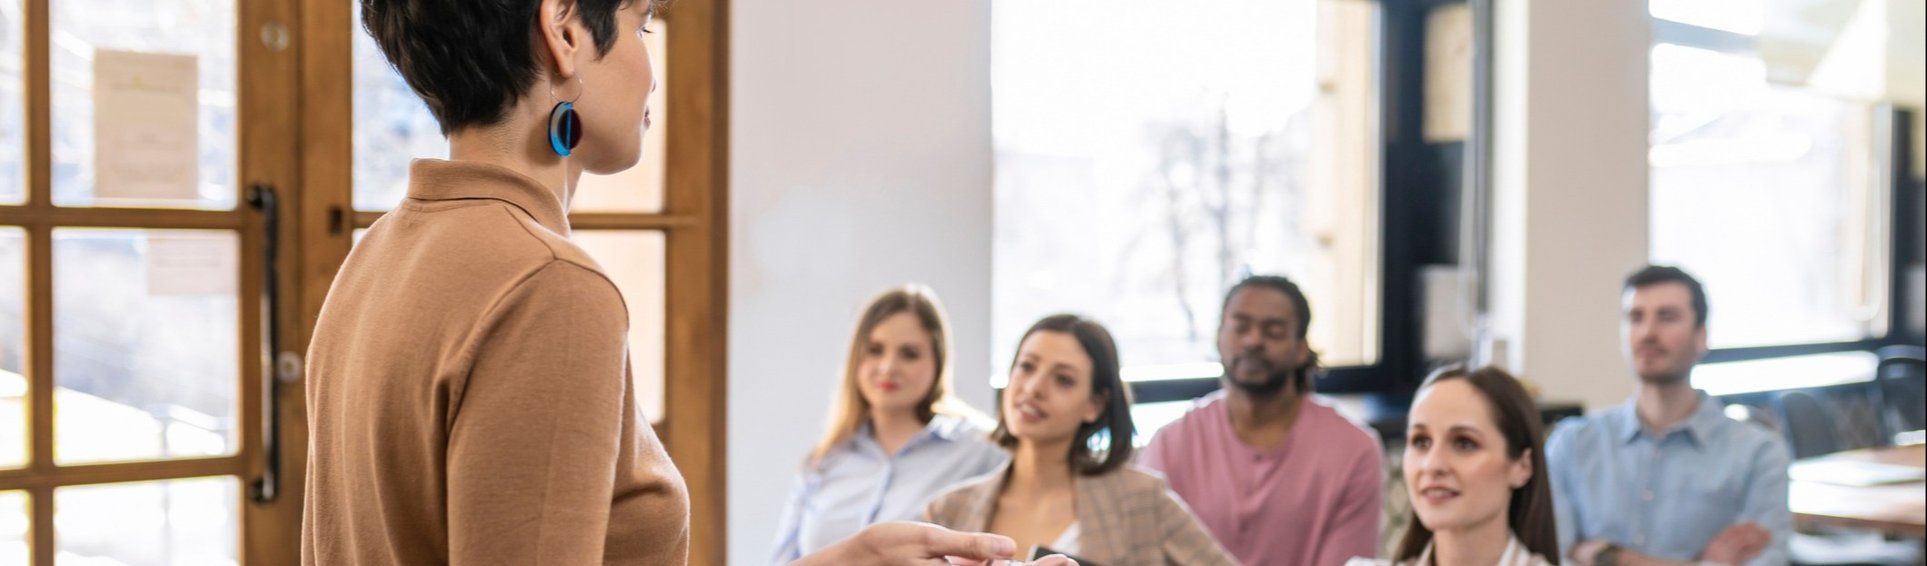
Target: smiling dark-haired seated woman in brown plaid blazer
1061	492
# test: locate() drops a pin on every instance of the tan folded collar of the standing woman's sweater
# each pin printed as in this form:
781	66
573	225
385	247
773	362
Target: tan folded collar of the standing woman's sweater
442	180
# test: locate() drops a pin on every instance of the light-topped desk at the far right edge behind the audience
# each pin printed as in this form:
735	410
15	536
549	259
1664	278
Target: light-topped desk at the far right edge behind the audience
1895	509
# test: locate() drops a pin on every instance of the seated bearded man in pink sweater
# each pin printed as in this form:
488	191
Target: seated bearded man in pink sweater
1275	475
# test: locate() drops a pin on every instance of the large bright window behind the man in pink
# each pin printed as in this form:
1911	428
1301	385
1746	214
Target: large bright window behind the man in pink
1138	176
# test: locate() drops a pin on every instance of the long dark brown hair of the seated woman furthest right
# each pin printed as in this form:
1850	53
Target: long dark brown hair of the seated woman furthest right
1531	513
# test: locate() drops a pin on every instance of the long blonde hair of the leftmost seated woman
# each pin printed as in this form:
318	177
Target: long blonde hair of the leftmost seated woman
849	409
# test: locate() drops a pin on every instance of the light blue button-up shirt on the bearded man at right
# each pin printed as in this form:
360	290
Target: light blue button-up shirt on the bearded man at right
1668	496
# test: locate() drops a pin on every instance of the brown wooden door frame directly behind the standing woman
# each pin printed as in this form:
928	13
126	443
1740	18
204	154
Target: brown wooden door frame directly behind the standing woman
695	224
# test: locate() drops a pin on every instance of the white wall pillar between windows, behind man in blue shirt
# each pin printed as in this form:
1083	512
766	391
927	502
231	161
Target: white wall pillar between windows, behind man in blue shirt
1571	182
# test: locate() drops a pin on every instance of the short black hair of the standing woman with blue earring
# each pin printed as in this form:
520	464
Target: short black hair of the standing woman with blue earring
473	59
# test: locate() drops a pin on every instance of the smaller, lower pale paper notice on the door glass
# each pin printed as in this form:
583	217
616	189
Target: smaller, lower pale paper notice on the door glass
192	265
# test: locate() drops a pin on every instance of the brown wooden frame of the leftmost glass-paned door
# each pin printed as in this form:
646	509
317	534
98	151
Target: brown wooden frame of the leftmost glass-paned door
265	155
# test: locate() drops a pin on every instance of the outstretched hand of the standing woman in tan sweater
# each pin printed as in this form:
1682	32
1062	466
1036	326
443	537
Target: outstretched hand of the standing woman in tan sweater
922	544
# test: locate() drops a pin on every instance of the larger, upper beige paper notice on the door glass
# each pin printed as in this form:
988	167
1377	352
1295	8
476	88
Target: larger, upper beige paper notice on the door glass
145	126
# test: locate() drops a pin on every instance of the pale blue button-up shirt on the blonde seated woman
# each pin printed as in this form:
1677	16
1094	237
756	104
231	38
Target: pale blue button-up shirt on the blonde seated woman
858	484
